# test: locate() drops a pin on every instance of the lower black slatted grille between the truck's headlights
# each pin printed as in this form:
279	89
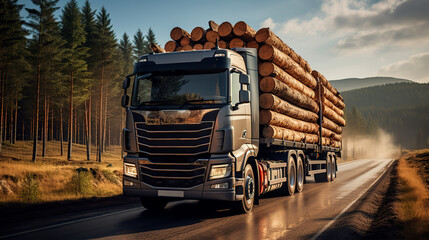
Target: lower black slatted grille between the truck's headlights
173	175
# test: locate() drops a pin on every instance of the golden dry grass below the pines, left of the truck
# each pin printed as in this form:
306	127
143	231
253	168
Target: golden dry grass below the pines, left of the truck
54	173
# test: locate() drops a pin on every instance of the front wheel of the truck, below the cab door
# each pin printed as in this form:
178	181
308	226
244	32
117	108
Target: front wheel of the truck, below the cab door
246	204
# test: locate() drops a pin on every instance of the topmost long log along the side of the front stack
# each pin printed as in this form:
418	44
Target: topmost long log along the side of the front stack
265	35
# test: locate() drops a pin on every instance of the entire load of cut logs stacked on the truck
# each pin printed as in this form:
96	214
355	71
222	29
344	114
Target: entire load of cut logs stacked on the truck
292	94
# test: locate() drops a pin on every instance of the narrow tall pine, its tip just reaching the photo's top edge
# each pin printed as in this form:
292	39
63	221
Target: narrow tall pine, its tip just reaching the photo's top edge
76	67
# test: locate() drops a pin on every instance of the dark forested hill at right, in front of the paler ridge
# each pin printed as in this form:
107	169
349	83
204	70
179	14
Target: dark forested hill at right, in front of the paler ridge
401	109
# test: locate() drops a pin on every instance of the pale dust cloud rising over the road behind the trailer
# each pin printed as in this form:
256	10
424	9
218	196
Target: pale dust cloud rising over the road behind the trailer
378	146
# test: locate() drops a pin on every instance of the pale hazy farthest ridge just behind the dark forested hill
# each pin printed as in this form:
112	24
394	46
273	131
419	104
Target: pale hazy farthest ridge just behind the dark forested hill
355	83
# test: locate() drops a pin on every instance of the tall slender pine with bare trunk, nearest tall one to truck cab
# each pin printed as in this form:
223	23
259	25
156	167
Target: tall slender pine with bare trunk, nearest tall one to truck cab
104	50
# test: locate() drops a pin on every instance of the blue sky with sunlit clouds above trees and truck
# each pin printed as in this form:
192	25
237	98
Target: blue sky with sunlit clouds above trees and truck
339	38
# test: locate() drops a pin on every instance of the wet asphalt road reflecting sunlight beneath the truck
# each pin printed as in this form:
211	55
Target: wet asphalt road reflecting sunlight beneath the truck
302	216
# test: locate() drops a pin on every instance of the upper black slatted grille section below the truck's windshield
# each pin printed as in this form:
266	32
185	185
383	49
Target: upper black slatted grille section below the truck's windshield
174	139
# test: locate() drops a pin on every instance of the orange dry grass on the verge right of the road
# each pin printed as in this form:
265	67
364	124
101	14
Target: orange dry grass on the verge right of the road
413	204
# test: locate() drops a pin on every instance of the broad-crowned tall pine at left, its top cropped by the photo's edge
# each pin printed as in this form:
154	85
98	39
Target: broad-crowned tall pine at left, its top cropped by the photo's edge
46	51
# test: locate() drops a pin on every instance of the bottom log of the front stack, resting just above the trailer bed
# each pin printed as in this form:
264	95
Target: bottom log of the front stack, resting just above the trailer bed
271	131
